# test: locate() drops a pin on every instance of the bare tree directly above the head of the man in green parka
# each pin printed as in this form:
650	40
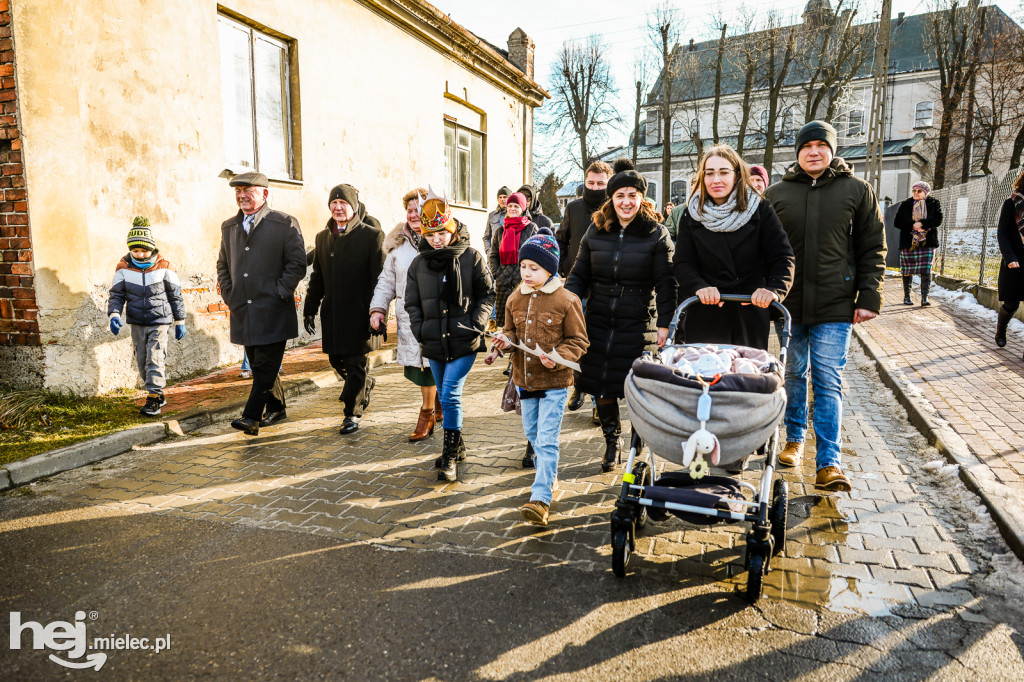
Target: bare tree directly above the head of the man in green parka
832	55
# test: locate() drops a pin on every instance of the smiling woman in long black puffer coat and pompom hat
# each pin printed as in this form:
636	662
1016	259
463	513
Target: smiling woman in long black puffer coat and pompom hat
625	264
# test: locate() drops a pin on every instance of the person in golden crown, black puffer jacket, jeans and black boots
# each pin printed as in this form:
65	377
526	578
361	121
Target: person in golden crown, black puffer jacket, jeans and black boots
449	287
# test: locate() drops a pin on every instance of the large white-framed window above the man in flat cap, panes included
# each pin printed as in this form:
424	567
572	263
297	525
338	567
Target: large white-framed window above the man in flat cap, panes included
257	99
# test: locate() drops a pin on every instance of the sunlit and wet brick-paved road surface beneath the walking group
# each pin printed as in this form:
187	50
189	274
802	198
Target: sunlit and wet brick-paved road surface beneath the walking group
894	543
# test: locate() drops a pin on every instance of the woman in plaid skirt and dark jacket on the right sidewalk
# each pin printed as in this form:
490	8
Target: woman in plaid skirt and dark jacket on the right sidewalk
918	221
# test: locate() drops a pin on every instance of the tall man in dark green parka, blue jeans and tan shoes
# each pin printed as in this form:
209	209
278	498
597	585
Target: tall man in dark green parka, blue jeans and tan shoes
835	227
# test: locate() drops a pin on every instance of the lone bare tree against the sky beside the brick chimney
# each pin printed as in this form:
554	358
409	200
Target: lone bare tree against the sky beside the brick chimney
583	104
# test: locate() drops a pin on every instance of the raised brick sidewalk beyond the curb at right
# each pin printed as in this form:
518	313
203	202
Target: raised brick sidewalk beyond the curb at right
949	356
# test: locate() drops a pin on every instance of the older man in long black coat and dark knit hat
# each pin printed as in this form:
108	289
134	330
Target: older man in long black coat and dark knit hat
348	260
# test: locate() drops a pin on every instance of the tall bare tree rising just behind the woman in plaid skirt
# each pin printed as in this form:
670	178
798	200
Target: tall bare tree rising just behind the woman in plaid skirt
954	32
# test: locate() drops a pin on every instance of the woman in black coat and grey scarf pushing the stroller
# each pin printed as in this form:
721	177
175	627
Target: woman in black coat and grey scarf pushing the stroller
731	242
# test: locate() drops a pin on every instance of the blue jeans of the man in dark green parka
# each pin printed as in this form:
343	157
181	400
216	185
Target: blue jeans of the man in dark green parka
826	347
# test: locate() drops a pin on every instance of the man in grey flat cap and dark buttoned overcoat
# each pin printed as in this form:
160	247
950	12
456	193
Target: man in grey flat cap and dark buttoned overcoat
263	260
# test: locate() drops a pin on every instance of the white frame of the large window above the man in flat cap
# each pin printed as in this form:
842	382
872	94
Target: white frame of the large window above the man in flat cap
253	162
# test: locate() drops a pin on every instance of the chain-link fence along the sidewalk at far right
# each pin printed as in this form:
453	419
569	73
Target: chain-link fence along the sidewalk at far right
968	248
